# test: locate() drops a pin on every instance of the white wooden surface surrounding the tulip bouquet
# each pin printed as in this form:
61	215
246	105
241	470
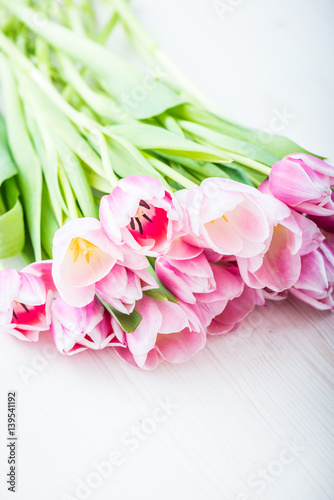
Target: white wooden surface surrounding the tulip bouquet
252	414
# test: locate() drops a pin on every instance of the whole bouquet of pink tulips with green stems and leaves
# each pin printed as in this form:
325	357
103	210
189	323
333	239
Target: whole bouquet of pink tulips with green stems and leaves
147	221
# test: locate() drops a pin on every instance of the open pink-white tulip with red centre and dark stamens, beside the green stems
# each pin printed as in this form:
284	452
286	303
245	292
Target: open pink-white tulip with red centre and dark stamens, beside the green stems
141	214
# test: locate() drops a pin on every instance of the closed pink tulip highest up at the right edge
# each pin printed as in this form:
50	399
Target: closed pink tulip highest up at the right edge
303	182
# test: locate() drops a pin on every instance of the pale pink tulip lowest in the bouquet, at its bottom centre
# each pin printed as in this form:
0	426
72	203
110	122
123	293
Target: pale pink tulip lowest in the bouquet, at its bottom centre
167	331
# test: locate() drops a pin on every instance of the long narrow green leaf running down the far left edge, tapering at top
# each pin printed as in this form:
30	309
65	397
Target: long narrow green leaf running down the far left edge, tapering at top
27	162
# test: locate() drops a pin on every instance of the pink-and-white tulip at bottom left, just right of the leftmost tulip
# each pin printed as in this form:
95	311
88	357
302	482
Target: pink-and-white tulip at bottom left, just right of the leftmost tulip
75	329
